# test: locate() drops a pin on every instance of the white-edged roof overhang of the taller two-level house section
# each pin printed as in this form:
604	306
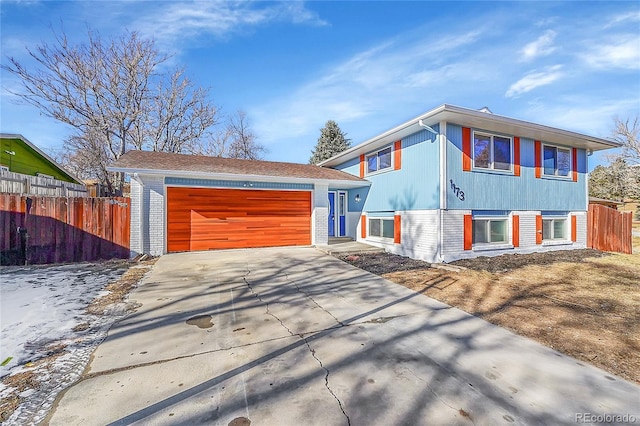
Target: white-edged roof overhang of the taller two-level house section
480	119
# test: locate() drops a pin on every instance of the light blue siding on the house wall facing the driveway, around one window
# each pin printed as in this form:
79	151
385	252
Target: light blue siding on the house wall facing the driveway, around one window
414	187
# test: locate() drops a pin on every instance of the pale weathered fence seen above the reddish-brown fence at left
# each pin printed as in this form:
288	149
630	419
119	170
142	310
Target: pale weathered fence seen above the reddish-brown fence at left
18	183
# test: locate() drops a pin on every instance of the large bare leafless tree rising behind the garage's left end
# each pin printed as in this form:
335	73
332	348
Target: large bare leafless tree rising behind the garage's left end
112	93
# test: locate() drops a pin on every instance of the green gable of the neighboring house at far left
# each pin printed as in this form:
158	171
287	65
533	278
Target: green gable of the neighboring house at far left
22	156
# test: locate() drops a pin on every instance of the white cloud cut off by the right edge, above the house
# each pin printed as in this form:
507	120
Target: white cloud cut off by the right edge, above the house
623	52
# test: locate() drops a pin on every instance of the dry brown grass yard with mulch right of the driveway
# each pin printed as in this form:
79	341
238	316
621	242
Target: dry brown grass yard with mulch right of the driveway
583	303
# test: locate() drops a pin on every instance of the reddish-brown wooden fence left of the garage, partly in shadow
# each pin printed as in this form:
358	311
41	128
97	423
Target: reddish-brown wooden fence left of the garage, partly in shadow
39	230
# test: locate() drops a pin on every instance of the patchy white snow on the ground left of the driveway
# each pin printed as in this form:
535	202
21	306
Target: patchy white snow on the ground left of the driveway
40	306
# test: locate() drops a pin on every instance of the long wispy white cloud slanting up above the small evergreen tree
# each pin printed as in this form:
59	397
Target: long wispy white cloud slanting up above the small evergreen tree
394	72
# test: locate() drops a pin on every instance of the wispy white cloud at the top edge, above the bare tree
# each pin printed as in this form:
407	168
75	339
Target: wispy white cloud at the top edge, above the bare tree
182	20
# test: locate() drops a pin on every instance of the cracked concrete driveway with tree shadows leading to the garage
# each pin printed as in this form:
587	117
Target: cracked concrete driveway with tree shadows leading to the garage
292	336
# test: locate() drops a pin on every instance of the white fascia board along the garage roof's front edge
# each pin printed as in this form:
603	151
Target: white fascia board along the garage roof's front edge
235	177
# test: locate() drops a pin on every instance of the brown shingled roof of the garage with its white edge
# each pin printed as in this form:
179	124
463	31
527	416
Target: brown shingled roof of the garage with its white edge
149	162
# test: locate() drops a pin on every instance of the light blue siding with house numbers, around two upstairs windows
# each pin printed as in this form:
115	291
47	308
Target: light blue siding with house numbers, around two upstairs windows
496	191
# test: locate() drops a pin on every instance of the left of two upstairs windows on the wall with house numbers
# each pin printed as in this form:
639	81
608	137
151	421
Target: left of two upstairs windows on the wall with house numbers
492	152
